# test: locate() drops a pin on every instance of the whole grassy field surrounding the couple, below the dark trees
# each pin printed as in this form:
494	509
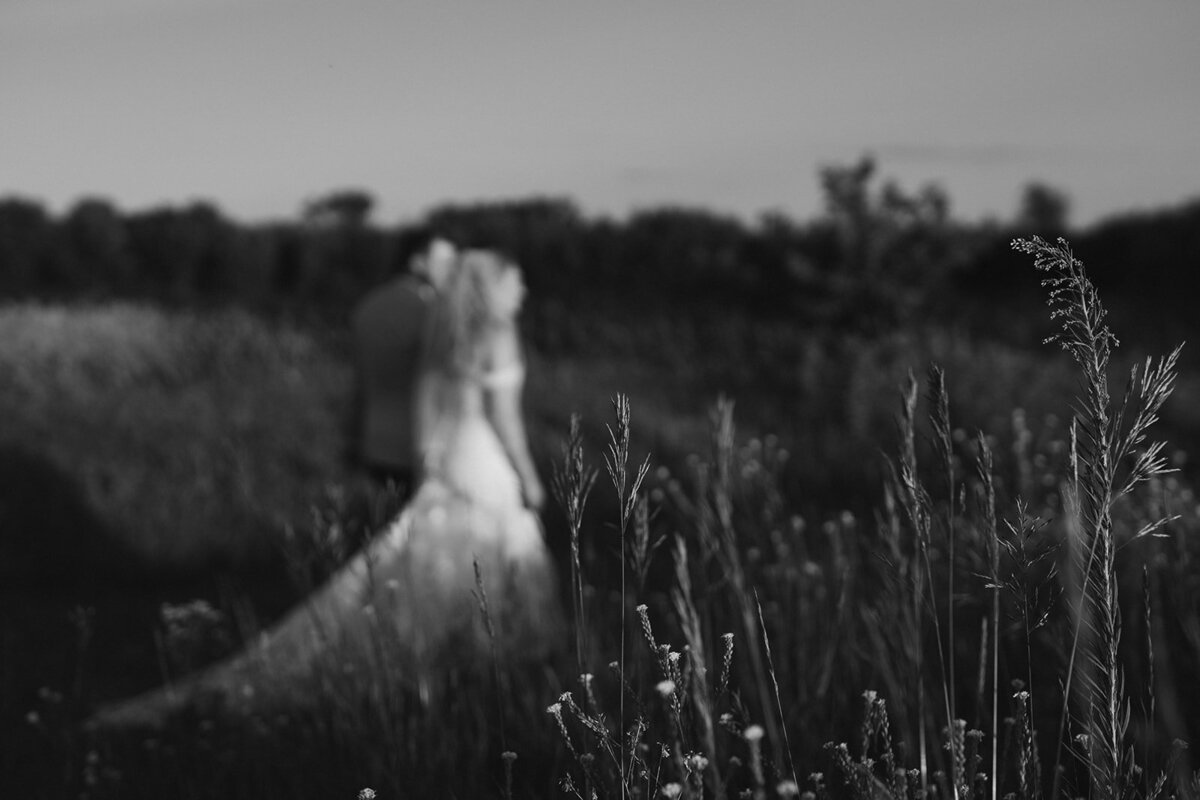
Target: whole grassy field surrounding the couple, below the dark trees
841	545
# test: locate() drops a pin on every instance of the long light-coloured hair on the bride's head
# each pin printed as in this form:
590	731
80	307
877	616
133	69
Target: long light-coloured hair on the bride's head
467	314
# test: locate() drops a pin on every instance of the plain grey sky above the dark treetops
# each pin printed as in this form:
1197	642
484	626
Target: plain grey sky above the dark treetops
259	106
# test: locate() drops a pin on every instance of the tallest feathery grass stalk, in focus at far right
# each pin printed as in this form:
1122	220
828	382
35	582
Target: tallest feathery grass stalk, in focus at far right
1107	465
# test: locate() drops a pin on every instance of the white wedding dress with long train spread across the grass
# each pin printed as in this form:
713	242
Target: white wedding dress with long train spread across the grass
407	607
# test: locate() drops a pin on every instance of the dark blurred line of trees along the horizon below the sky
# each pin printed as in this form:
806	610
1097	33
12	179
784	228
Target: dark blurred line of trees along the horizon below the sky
875	257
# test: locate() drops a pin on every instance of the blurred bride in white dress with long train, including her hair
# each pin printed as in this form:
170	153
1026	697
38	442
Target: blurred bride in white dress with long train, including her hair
409	605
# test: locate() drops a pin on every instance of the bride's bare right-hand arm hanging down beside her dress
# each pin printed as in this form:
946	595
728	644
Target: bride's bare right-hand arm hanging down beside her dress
502	402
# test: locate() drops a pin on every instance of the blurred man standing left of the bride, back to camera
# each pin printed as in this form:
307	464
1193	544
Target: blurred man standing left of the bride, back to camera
387	328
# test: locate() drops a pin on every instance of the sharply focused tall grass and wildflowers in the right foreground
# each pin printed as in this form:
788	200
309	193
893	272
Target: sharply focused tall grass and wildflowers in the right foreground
957	594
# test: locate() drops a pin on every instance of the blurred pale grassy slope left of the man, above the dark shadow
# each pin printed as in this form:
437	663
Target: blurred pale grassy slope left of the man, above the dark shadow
193	437
